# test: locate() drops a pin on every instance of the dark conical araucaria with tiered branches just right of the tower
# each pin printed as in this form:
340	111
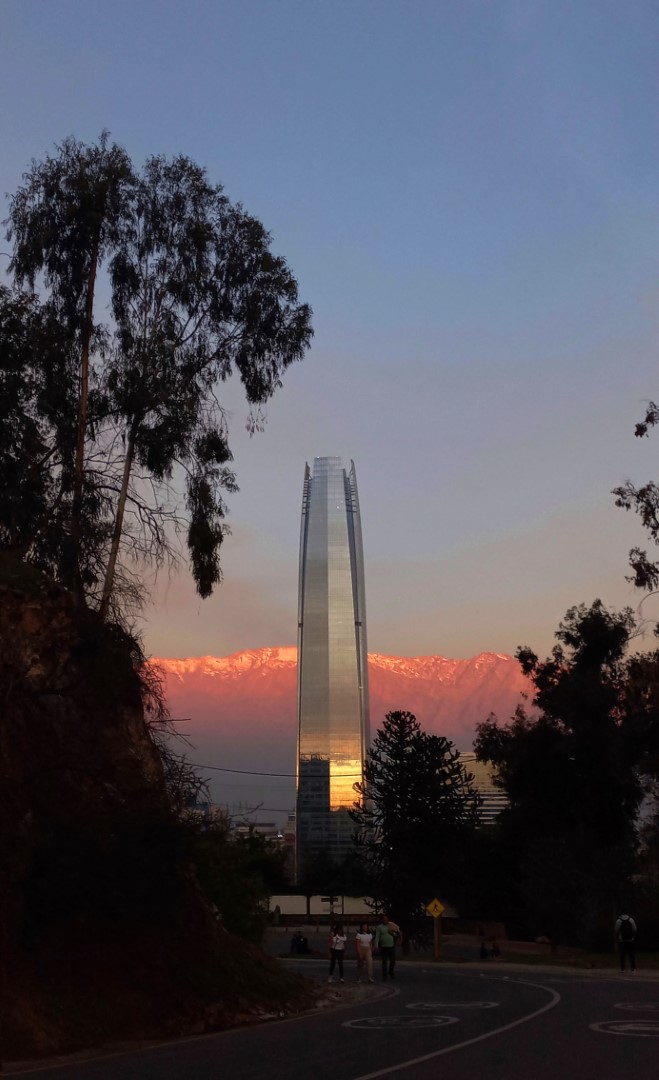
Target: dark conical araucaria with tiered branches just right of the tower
416	814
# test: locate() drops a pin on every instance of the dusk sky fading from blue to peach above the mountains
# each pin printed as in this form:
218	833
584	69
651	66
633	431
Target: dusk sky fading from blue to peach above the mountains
467	195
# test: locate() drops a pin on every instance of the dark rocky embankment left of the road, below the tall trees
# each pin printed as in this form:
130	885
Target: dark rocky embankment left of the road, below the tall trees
105	931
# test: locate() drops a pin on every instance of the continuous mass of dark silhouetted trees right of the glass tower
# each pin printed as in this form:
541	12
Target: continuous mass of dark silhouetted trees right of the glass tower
580	765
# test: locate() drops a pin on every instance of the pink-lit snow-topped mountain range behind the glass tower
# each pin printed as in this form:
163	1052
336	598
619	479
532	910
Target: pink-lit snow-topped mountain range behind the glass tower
241	710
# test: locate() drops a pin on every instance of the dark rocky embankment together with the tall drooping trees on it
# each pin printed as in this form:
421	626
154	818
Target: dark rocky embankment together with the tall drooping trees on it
135	294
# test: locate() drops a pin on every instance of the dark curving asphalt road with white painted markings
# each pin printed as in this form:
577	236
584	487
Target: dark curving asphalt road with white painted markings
454	1023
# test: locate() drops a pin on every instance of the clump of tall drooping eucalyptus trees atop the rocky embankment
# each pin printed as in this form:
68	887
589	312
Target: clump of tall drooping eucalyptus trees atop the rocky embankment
137	450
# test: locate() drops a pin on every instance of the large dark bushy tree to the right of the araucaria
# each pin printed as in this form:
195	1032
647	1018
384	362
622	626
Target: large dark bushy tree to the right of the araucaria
571	772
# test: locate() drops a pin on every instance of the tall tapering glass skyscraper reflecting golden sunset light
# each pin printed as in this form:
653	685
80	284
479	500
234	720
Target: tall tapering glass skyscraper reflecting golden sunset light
333	681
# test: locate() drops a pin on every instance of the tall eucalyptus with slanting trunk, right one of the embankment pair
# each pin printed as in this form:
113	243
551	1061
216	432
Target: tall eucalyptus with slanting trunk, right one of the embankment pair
196	294
